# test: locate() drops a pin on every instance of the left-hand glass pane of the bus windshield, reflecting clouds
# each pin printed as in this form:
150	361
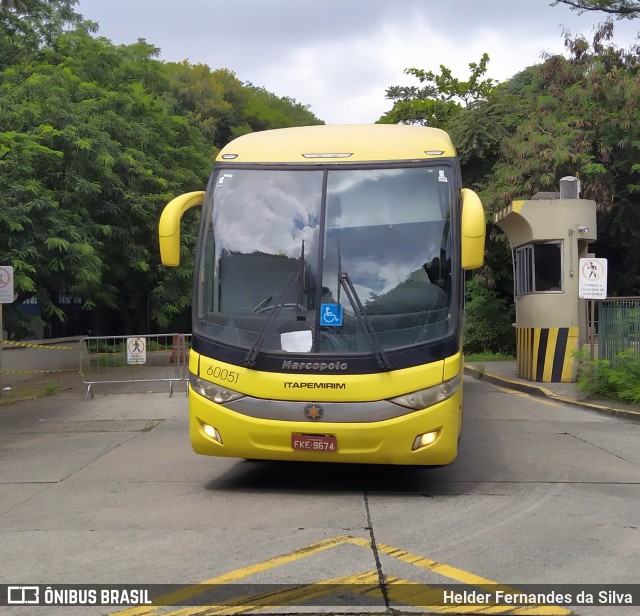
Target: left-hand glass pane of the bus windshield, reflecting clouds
264	229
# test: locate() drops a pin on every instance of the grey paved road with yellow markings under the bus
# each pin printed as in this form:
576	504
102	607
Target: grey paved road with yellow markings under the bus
108	491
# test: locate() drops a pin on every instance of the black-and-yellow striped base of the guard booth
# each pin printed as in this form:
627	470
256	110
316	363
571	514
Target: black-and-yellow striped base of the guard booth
545	354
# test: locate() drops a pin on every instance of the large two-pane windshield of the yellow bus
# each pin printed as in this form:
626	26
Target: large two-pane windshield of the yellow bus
279	243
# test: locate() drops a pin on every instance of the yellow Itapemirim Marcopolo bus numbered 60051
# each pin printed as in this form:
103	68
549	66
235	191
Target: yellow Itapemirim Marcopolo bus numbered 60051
328	295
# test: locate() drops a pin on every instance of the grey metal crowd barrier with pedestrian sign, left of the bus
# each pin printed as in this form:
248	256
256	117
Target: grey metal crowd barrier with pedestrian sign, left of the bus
133	359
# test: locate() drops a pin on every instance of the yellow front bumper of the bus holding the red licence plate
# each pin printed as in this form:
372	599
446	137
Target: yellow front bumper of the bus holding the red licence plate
218	431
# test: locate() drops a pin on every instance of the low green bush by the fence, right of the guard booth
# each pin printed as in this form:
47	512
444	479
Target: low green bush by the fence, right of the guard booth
619	379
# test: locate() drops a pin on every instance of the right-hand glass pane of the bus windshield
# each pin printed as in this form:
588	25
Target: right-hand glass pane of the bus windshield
389	228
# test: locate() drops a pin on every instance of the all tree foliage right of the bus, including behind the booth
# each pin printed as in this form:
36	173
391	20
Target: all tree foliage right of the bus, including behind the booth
574	115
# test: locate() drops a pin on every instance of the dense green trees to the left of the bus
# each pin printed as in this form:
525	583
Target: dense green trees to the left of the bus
94	140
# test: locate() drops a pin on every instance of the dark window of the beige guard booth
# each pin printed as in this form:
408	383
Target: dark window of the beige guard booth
539	268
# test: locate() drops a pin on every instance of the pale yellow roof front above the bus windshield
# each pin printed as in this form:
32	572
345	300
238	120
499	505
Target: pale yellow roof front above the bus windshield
339	143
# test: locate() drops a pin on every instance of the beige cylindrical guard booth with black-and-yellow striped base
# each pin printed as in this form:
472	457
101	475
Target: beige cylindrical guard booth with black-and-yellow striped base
548	235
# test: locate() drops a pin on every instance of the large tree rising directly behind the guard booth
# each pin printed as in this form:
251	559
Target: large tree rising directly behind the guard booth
578	115
